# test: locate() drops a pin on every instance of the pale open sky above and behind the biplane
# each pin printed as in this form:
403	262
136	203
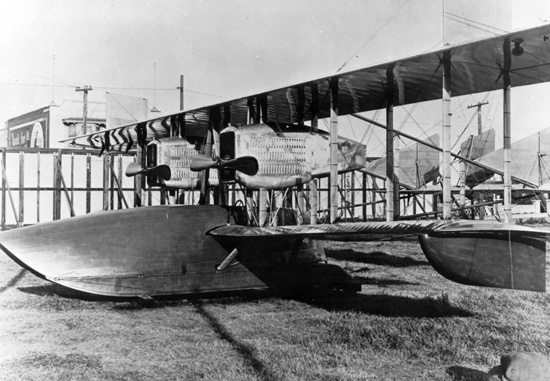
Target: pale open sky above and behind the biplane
229	48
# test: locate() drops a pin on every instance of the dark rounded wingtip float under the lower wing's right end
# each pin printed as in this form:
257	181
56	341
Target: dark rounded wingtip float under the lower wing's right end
489	254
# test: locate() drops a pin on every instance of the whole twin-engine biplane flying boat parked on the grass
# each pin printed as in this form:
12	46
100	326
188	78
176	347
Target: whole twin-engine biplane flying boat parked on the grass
263	141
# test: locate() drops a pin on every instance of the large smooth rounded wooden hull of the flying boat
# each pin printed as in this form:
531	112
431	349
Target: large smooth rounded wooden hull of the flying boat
149	251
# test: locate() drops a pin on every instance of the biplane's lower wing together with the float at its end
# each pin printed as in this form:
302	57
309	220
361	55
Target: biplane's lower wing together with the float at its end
478	253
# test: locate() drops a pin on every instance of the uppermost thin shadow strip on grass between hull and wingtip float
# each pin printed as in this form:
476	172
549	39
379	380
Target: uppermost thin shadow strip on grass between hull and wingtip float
374	258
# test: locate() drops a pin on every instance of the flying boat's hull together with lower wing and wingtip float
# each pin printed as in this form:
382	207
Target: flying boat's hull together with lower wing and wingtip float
113	254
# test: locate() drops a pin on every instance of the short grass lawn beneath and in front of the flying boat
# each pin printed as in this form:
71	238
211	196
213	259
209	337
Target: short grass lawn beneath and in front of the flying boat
407	323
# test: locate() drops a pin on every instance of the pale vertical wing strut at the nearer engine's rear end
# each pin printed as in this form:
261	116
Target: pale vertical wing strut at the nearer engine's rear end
333	199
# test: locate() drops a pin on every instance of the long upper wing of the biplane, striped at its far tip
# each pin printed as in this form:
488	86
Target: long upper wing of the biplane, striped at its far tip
476	67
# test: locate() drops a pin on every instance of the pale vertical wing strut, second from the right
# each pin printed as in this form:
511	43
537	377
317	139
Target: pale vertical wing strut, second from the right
446	165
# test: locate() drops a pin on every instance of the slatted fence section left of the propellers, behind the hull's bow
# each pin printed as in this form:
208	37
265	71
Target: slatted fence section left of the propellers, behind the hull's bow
40	184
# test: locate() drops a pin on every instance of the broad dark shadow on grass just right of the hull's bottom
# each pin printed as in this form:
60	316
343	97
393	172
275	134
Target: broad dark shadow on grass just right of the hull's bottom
386	305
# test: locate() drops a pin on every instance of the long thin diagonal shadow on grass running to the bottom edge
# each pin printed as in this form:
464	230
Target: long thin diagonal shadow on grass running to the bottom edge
246	351
